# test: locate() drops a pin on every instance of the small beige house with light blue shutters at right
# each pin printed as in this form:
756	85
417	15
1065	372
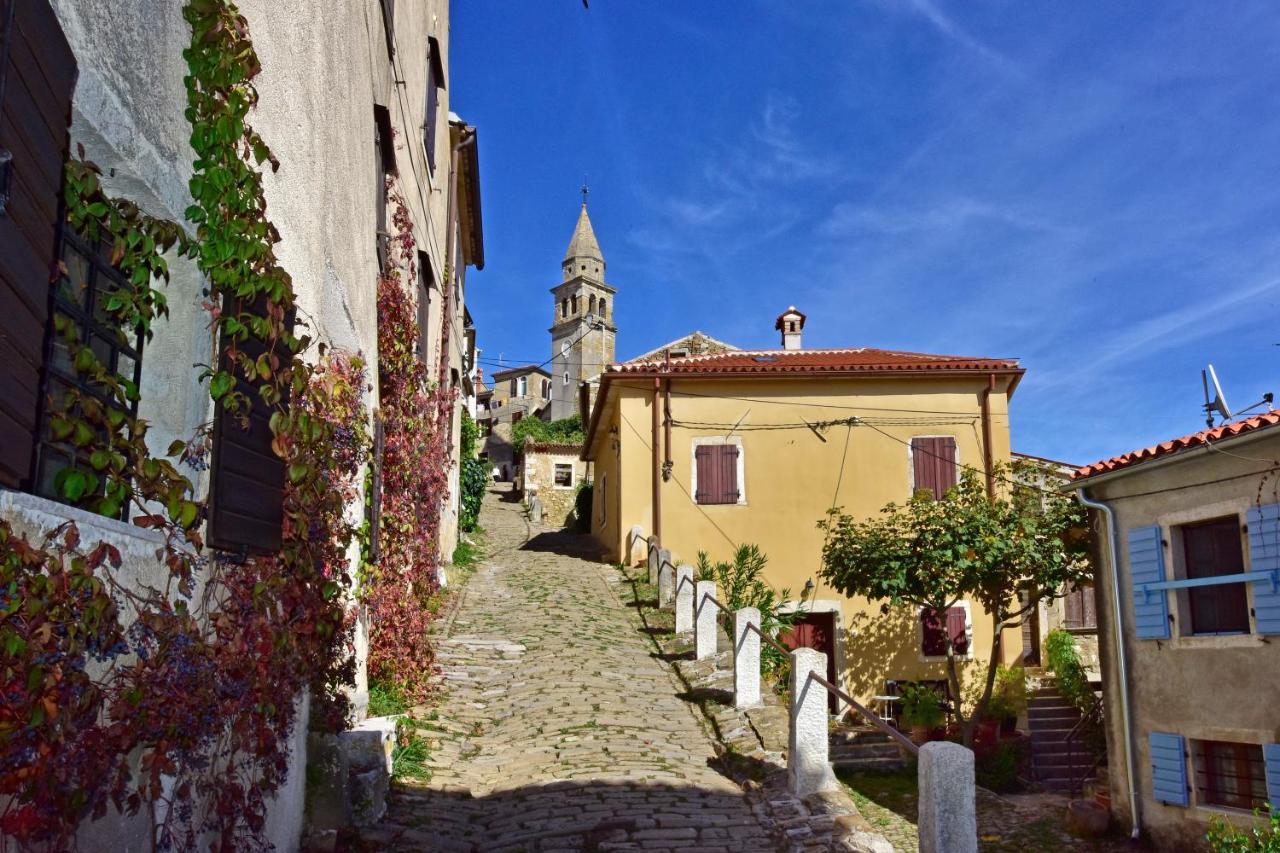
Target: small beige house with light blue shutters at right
1188	686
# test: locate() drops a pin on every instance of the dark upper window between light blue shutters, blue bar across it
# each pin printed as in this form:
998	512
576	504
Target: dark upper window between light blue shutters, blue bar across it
1214	549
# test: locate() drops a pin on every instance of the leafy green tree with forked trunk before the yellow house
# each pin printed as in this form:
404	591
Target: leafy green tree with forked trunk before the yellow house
934	554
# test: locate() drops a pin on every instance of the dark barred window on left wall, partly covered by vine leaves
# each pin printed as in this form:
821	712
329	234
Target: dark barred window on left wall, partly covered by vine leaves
81	297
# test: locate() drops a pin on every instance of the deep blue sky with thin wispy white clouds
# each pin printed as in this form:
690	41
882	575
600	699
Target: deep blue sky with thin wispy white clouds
1094	189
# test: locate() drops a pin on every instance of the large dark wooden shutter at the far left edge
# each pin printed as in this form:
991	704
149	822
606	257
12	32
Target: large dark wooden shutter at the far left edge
40	79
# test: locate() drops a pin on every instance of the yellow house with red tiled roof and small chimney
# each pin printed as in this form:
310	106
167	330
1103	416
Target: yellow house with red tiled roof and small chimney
714	451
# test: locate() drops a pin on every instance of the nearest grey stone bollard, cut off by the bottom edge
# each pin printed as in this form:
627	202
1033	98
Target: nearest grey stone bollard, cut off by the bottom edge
949	823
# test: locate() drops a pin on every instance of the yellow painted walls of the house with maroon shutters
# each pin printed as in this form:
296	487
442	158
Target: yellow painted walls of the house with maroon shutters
790	477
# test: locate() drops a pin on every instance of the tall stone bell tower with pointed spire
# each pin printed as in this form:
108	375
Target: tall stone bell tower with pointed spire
583	331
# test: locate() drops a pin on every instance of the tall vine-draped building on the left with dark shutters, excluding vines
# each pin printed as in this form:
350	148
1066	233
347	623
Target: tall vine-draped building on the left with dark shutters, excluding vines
350	95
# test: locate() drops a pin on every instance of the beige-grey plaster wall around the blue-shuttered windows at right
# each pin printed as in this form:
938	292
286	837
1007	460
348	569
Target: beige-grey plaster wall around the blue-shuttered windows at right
1204	688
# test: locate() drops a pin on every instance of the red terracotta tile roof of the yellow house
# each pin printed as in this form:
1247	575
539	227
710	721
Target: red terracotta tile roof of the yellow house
810	362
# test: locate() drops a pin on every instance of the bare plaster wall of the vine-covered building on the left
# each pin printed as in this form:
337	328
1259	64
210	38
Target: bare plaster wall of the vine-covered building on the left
324	67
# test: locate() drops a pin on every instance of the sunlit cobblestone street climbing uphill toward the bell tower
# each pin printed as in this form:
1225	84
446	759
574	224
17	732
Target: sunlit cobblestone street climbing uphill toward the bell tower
557	729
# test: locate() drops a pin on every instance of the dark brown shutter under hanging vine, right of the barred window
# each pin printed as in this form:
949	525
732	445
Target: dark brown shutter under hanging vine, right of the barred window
246	501
